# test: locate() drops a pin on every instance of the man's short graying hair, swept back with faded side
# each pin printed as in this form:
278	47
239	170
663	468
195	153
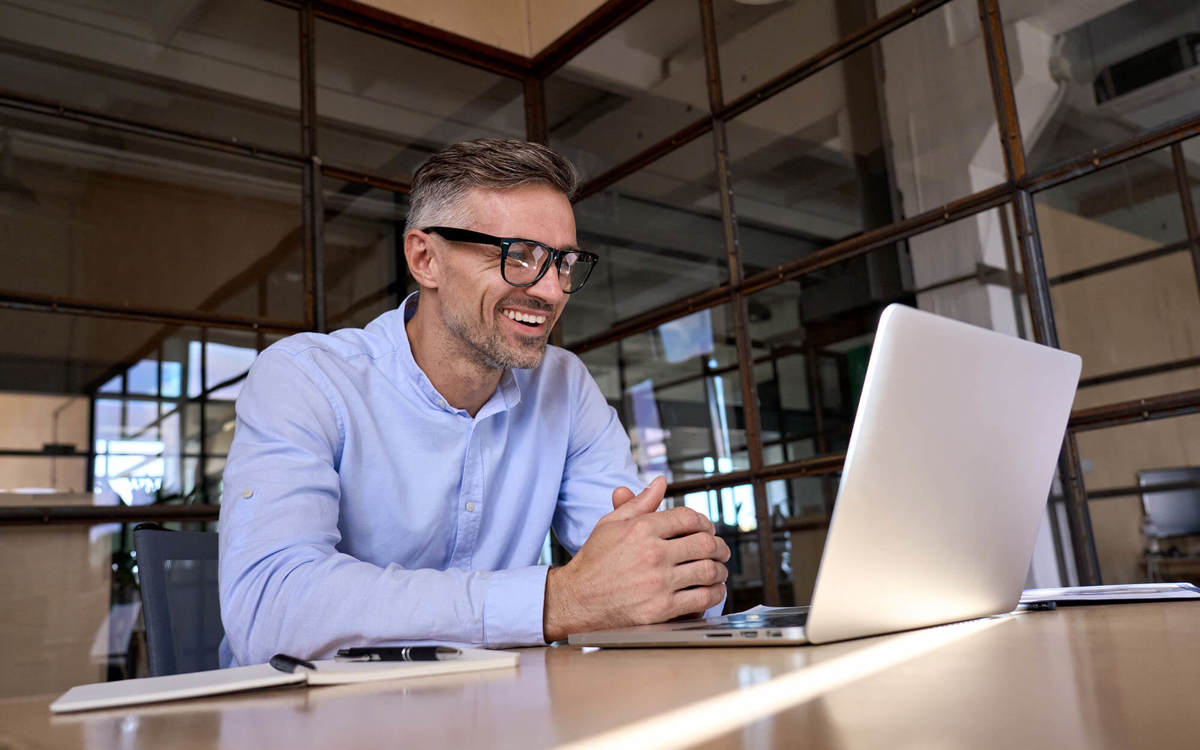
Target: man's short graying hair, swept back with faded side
495	164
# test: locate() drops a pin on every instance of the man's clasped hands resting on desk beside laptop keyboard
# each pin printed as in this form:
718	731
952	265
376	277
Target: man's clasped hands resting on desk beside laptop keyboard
638	567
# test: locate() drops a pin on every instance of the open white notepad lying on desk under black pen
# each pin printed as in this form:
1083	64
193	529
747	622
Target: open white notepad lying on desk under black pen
236	680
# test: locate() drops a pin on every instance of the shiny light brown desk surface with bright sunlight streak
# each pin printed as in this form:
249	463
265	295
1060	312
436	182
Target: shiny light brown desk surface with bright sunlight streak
1085	677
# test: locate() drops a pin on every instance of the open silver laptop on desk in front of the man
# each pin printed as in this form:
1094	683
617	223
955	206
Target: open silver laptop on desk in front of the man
943	493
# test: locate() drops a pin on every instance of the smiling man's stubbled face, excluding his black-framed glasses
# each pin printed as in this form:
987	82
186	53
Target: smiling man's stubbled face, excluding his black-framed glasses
499	325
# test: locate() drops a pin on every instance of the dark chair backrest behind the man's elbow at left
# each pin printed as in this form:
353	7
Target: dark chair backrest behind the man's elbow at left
181	601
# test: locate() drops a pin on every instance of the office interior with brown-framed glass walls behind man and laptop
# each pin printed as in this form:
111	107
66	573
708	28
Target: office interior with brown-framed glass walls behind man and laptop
185	183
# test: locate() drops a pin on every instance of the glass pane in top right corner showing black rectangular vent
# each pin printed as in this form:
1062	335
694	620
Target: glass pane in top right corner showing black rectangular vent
1097	75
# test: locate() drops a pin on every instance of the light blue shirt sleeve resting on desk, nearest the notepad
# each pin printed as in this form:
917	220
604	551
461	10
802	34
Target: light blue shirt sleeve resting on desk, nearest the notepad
286	587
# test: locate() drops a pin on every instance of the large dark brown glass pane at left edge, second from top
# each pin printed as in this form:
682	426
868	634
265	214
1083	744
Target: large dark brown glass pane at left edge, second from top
118	219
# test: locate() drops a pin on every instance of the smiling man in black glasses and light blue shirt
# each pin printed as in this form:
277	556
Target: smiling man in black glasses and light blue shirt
395	484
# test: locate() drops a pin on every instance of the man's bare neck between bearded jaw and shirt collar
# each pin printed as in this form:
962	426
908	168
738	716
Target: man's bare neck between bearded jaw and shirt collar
457	375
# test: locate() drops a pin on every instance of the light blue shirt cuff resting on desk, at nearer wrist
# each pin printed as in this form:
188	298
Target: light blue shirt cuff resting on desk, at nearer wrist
514	605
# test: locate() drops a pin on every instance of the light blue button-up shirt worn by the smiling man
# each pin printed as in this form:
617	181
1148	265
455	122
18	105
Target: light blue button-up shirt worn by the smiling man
361	509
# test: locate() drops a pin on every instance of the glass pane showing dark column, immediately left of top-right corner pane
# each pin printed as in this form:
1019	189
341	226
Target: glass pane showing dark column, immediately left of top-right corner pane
868	141
